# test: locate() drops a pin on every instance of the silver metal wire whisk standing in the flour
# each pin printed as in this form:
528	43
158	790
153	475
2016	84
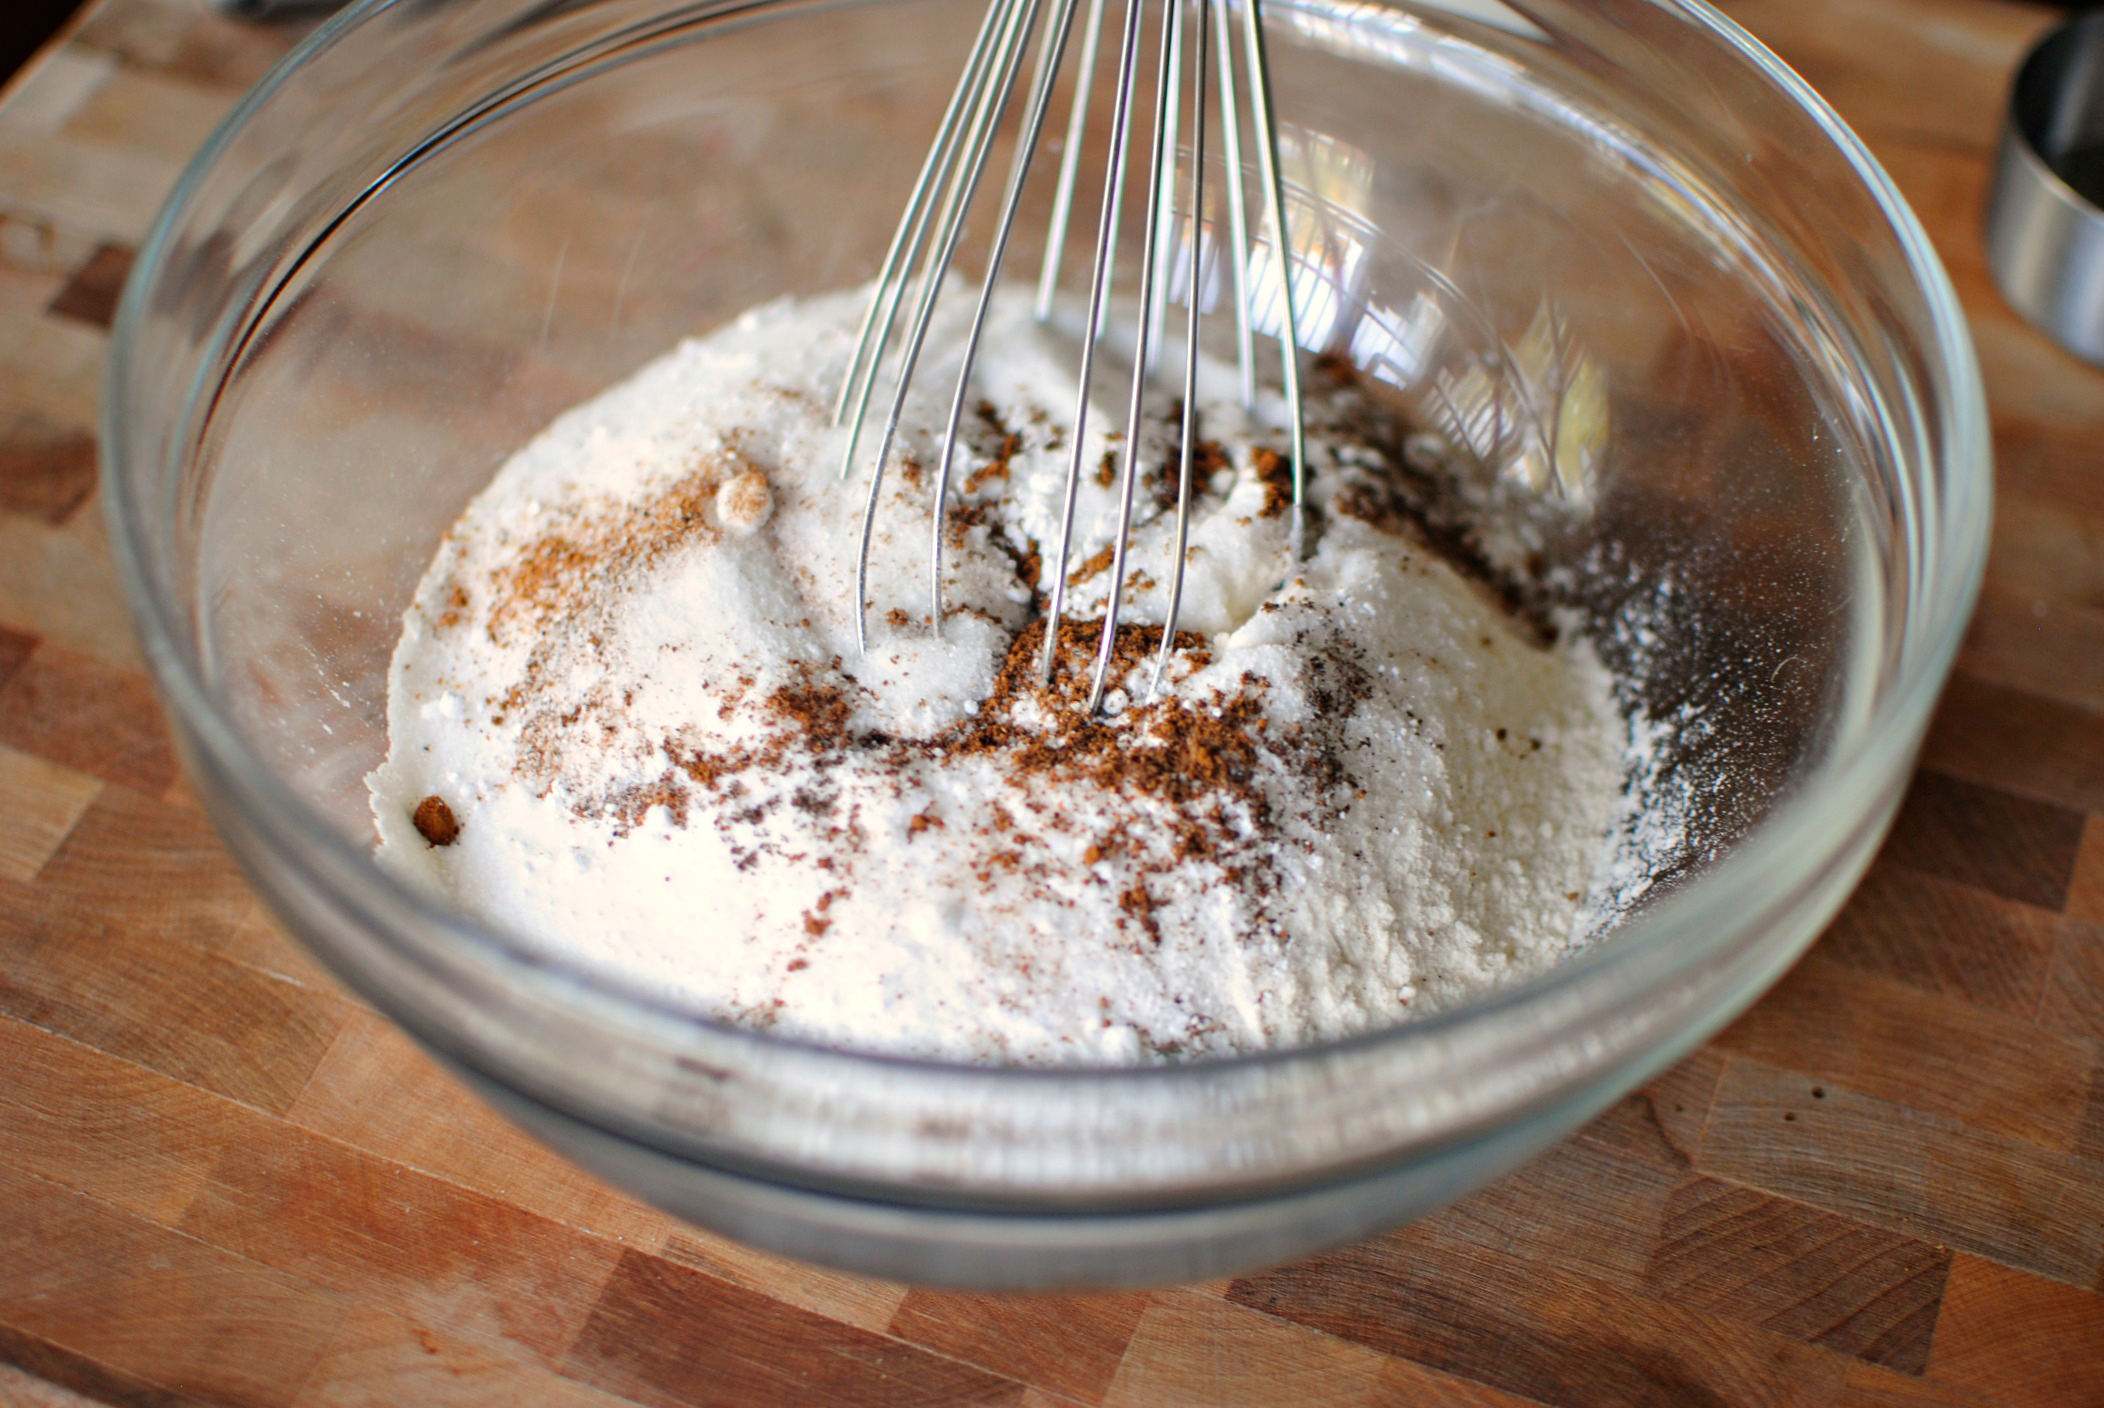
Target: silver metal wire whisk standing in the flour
933	224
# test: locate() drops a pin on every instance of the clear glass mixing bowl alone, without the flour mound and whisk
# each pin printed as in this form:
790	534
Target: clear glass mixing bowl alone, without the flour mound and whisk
1653	294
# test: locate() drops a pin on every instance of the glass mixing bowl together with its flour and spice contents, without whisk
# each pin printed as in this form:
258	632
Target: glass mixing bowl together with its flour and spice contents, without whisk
1644	443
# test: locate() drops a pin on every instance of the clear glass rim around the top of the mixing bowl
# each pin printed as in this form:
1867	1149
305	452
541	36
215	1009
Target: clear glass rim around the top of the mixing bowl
1674	938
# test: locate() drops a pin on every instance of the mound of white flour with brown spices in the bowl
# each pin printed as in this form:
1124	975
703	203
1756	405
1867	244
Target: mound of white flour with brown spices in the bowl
628	721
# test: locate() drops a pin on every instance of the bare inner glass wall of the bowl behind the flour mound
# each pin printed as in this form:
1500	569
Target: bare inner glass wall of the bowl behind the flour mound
1615	279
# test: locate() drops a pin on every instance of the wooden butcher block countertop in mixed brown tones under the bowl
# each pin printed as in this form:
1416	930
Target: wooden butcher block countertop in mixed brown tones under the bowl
224	1182
